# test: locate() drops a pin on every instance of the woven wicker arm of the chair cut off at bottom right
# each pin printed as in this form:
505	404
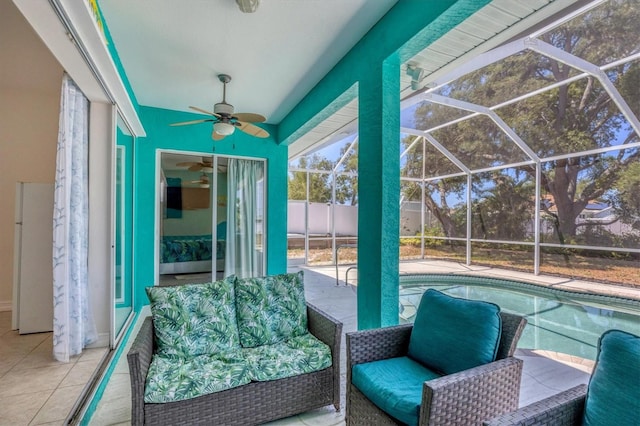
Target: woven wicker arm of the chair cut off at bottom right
563	409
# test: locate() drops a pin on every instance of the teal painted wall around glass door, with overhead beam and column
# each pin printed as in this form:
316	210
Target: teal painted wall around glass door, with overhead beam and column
370	70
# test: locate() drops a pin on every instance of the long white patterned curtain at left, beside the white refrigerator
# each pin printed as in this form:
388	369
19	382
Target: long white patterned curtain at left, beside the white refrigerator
73	324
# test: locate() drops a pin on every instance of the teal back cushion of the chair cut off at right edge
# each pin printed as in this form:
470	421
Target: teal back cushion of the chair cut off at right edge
613	397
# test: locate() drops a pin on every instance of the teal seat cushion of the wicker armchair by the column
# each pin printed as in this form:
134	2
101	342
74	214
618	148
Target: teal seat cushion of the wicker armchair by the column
394	385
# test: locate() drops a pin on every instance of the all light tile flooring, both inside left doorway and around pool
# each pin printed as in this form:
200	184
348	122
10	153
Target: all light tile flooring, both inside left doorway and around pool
35	389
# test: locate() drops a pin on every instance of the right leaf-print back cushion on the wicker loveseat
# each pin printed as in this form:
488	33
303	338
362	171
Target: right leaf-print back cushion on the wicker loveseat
270	309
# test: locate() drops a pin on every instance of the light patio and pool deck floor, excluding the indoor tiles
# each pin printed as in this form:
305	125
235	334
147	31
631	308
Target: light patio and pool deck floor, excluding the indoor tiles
545	373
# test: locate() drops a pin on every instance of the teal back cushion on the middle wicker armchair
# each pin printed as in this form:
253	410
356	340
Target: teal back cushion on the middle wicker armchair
450	334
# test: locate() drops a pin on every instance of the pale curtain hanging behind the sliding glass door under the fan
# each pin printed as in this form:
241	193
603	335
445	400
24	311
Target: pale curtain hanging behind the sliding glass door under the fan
242	258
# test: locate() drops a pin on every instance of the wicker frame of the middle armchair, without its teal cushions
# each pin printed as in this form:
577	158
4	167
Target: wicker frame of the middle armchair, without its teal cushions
464	398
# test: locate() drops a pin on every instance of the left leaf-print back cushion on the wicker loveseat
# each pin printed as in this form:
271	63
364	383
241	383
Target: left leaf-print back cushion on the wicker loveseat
194	319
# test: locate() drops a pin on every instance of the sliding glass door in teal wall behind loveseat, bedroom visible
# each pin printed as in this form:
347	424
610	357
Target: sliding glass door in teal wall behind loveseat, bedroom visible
210	217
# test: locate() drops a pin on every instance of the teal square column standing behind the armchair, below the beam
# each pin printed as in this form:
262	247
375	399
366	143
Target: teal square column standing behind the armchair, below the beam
379	195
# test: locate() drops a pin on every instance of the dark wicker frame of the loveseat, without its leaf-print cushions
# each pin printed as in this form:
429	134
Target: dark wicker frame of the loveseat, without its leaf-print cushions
251	404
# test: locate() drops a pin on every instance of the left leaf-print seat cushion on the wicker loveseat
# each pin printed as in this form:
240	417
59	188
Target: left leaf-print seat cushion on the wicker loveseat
175	379
